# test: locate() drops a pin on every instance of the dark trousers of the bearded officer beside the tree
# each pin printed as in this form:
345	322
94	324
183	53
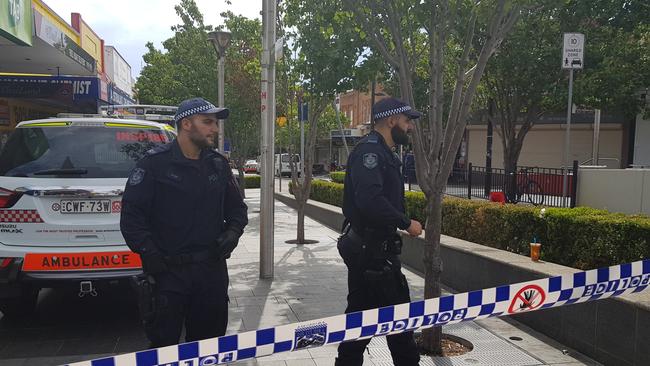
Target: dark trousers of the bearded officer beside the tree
368	289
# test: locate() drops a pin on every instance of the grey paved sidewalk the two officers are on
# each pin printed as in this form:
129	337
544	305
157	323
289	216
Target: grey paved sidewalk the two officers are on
310	283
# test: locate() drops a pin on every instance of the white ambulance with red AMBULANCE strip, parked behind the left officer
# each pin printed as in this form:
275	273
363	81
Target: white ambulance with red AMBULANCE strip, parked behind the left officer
61	183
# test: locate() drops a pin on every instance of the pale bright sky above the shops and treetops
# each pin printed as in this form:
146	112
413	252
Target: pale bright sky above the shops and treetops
129	24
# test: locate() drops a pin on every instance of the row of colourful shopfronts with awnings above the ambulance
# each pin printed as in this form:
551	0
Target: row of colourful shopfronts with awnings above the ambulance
54	67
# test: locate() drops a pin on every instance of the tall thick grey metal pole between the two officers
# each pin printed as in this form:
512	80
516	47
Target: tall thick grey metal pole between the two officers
268	140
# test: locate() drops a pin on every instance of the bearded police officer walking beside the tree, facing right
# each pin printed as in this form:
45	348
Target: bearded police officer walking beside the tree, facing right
373	205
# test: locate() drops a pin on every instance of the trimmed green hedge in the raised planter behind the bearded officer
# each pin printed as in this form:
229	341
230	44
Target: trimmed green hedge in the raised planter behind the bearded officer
581	237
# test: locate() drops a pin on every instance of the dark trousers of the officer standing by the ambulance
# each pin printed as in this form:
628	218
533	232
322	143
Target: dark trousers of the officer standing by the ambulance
194	295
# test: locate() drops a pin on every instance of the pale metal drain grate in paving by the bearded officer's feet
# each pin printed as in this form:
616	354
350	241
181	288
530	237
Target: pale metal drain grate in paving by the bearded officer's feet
489	350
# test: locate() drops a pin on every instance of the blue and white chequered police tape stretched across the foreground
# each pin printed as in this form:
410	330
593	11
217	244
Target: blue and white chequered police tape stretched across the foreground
497	301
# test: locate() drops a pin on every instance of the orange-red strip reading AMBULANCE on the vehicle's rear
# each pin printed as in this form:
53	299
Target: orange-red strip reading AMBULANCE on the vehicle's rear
80	261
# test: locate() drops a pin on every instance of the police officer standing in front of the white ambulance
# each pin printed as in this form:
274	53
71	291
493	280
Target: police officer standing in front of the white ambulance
183	214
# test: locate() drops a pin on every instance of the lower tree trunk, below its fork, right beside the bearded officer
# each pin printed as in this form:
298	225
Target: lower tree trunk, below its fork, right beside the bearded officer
432	337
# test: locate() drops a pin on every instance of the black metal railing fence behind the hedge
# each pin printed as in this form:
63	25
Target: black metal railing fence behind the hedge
531	185
